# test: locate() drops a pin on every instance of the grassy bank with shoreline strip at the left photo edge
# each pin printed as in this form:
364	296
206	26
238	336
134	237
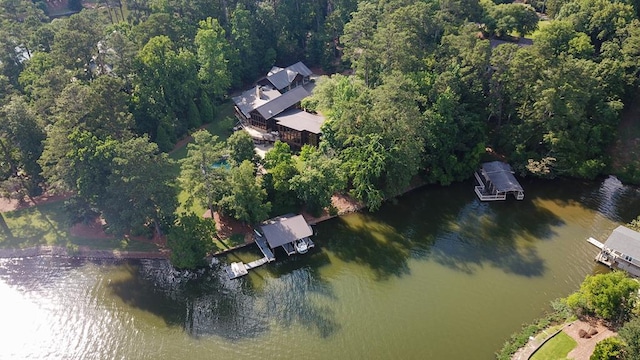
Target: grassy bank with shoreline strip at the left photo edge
45	224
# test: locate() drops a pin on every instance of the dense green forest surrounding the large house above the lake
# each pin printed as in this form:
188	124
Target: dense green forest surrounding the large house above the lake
91	103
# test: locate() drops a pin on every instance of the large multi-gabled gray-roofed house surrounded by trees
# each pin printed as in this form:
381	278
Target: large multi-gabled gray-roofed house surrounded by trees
273	105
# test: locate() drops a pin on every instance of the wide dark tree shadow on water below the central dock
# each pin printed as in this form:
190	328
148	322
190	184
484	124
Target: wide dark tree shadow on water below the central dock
209	304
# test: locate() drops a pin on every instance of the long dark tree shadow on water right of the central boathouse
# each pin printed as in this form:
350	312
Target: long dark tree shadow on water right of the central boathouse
449	226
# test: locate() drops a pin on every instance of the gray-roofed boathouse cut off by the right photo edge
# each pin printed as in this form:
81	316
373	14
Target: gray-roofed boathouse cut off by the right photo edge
621	250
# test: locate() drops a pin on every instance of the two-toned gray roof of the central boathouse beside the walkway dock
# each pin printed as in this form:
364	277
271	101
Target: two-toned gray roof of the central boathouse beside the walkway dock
285	230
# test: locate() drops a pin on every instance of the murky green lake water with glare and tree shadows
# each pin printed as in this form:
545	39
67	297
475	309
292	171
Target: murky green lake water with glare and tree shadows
435	275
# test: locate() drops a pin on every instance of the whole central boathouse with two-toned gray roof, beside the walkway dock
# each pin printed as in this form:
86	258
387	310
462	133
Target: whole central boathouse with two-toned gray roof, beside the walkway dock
291	232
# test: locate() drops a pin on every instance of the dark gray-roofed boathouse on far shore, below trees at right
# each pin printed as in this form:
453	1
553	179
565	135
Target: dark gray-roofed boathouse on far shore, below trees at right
496	180
